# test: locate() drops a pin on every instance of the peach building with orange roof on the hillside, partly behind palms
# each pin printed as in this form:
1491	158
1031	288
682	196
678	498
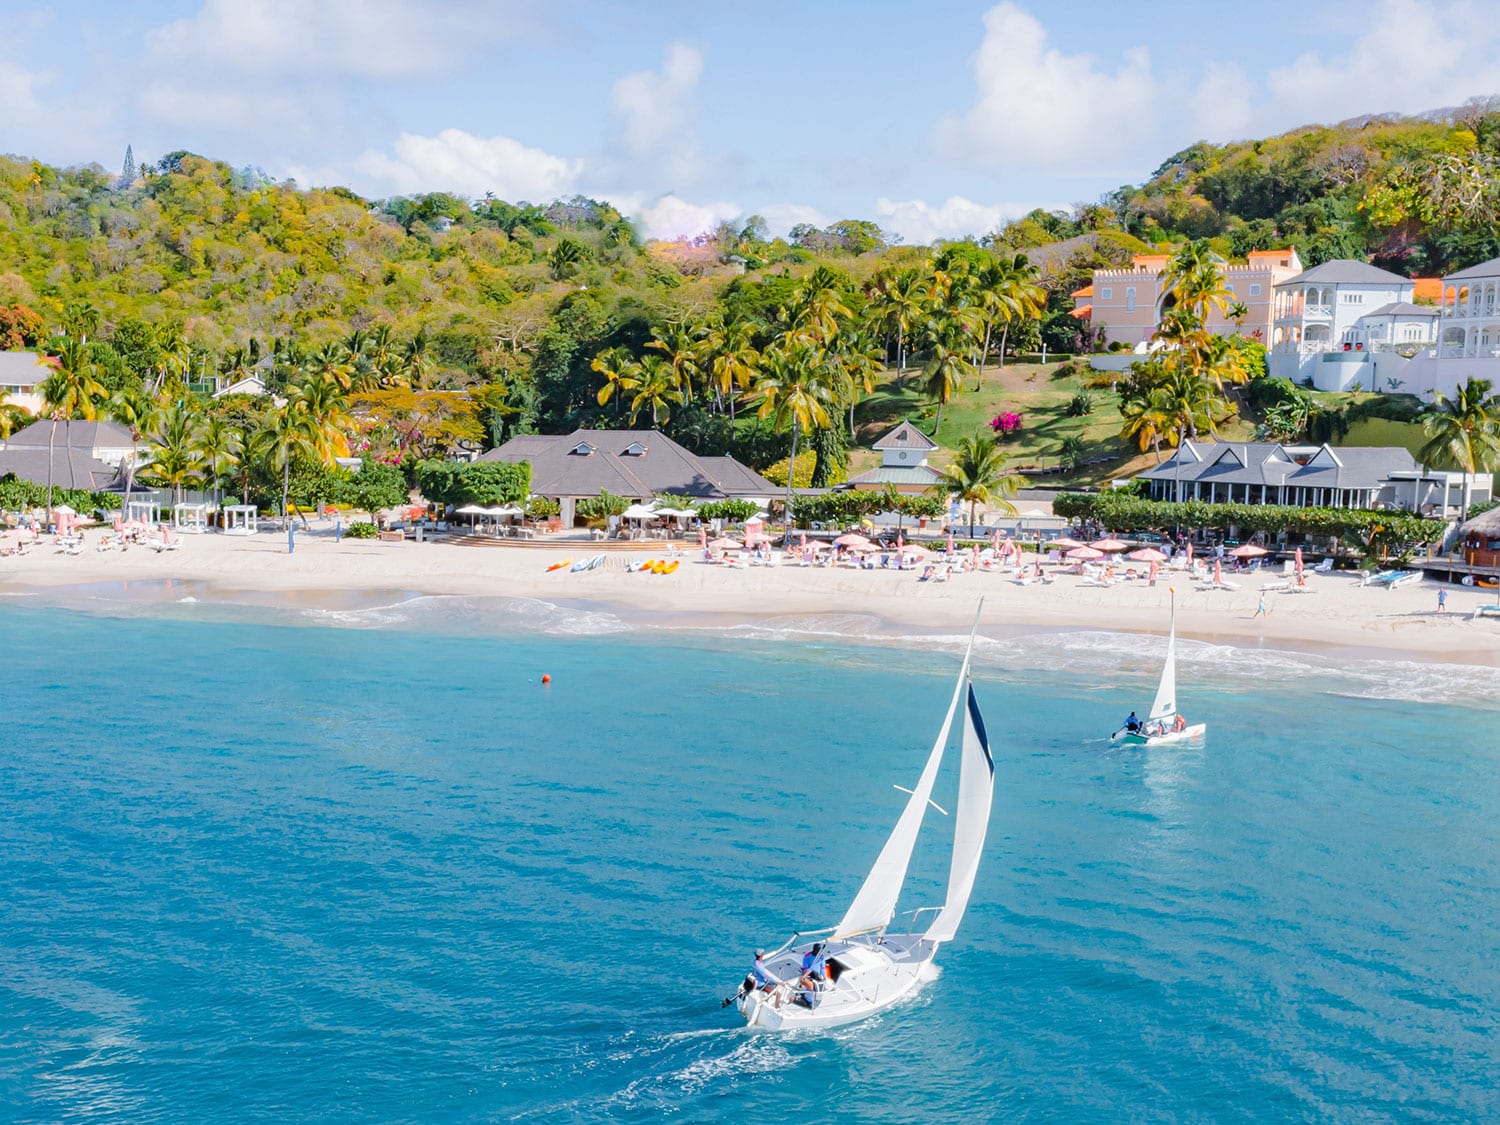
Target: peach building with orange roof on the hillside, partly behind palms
1127	304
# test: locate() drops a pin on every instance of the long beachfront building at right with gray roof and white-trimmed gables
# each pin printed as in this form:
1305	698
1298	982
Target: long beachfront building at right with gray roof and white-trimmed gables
1312	476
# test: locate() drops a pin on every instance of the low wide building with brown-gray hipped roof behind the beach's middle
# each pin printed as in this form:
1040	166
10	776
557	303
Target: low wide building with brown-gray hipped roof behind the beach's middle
637	464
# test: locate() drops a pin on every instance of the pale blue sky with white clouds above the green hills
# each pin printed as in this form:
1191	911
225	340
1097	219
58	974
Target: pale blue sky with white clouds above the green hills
934	119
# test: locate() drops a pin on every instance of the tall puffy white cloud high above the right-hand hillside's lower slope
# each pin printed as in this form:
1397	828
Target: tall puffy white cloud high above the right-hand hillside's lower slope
1042	107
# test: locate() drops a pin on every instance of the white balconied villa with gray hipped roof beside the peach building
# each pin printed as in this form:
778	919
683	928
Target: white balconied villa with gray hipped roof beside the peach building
1334	322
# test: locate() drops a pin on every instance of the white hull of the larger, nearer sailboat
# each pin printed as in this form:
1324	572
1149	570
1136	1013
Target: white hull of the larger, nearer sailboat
881	974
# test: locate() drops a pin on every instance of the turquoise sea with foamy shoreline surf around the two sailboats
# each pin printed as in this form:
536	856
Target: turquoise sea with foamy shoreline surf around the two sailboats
271	868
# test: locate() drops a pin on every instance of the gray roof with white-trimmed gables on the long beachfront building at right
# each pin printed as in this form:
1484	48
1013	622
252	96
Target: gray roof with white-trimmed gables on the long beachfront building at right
1268	463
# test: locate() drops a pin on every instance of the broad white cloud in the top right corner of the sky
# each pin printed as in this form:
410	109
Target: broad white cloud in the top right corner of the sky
1439	55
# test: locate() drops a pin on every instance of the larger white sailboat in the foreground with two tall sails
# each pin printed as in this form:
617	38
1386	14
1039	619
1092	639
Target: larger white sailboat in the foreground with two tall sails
865	967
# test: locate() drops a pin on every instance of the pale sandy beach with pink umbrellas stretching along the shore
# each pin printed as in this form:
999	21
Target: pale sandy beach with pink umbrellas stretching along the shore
1336	614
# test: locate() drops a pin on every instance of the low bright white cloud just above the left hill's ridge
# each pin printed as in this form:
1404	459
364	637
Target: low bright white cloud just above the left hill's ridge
461	163
